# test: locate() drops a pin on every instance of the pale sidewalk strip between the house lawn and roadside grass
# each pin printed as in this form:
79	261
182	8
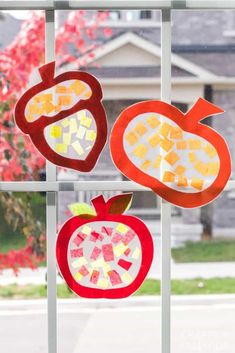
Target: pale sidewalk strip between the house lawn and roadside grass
178	271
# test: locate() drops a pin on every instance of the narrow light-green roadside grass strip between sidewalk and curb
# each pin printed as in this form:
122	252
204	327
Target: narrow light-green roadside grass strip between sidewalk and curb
150	287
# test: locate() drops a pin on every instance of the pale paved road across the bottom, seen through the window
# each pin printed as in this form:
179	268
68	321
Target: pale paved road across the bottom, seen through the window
198	328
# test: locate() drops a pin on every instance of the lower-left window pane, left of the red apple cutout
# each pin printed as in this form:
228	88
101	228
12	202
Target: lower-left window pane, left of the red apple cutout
23	321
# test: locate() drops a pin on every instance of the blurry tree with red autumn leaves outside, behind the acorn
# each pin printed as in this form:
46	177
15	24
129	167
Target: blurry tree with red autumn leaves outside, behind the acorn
19	160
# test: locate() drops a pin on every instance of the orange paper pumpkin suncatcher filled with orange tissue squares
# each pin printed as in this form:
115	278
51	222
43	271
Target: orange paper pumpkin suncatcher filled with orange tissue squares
157	129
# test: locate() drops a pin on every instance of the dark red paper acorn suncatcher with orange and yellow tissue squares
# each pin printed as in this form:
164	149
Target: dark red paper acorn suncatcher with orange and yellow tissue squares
66	94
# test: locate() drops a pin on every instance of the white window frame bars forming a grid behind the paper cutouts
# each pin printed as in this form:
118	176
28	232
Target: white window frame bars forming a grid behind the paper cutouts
51	186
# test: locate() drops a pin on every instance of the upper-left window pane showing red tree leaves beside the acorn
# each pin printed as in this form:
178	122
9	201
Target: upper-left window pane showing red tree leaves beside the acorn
19	57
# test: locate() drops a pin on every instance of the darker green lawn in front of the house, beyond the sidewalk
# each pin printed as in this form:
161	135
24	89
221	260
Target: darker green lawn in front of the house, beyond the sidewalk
206	251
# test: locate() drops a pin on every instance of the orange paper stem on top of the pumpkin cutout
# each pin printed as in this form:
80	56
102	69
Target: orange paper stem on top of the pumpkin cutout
201	110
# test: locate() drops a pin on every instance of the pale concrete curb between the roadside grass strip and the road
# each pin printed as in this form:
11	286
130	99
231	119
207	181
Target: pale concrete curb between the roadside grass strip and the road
73	305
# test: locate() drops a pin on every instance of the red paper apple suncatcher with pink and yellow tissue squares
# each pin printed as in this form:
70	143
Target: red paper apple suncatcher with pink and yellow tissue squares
106	269
